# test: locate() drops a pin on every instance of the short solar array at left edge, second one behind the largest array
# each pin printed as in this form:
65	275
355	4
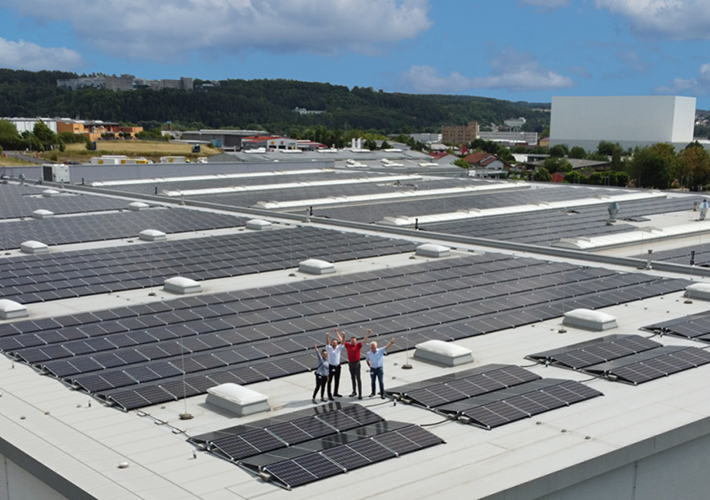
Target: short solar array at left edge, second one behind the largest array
111	225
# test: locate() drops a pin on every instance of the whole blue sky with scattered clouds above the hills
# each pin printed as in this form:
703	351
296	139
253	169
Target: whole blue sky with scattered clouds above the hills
508	49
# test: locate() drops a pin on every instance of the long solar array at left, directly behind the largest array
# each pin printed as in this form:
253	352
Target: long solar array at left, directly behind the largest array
39	278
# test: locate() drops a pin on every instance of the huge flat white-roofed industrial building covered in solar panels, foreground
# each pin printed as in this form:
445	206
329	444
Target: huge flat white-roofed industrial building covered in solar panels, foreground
504	297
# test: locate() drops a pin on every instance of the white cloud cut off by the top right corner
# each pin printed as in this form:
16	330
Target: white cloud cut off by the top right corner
670	19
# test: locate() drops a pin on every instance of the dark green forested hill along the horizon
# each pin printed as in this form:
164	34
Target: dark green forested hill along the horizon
264	104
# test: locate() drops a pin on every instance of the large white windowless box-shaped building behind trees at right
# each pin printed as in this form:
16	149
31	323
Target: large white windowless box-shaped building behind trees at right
629	120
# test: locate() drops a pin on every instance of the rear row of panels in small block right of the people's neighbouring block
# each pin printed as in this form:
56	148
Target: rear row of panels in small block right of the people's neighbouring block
593	352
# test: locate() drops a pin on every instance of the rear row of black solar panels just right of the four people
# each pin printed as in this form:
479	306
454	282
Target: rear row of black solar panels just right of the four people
462	385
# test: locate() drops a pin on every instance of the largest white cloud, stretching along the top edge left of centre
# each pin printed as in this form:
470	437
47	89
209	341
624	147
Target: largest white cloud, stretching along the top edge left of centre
166	29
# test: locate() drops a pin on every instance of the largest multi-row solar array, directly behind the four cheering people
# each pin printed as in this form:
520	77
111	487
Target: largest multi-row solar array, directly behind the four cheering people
141	355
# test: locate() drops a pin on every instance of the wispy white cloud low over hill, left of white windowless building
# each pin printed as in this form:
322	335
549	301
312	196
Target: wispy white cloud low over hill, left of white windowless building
511	70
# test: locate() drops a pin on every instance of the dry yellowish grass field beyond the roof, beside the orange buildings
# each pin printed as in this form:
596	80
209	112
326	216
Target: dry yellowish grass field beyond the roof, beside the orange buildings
151	150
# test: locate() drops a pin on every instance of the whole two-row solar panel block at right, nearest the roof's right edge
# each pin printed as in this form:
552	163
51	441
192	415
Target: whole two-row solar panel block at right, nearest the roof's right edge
625	358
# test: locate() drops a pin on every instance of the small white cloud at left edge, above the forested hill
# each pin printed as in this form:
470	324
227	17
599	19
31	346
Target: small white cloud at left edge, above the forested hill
30	56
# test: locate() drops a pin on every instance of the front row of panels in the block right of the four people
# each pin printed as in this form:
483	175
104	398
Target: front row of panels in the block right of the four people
509	405
